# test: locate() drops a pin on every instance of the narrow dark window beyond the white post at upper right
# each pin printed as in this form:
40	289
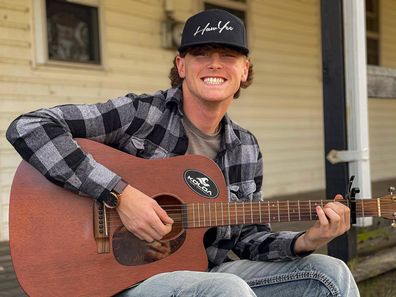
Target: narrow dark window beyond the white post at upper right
372	31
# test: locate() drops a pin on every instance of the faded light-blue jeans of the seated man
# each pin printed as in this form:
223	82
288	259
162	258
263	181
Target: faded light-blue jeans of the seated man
314	275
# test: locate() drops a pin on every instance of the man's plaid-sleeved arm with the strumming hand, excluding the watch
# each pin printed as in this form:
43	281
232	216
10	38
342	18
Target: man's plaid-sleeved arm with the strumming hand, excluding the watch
44	138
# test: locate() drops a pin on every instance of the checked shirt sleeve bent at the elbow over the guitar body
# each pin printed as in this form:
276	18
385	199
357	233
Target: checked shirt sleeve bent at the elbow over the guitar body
44	138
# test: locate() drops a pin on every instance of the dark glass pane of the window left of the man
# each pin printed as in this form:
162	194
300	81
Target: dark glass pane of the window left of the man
72	32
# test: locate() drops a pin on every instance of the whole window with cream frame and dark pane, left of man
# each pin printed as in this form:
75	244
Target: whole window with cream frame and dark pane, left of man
67	32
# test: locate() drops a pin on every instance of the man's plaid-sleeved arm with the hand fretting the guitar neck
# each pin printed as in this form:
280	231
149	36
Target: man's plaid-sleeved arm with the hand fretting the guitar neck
258	242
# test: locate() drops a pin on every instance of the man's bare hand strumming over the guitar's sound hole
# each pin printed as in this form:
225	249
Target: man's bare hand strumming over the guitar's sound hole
143	216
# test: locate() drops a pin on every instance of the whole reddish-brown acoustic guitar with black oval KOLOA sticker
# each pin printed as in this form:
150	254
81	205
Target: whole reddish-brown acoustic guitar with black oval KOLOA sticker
63	244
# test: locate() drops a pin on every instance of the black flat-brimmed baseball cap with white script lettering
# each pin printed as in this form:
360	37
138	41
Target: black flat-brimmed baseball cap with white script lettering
214	26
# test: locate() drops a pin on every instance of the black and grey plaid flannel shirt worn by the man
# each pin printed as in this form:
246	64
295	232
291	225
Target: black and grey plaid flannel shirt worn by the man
147	126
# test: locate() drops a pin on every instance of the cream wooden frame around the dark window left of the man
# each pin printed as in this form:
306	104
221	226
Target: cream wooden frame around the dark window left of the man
41	56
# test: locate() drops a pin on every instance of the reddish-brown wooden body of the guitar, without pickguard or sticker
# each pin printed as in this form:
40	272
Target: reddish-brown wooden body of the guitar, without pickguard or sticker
52	241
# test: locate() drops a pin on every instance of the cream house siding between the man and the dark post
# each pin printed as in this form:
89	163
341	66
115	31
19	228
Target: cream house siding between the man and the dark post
284	106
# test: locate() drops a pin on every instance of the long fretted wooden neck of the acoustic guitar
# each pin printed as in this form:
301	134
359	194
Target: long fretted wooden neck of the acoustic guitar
199	215
